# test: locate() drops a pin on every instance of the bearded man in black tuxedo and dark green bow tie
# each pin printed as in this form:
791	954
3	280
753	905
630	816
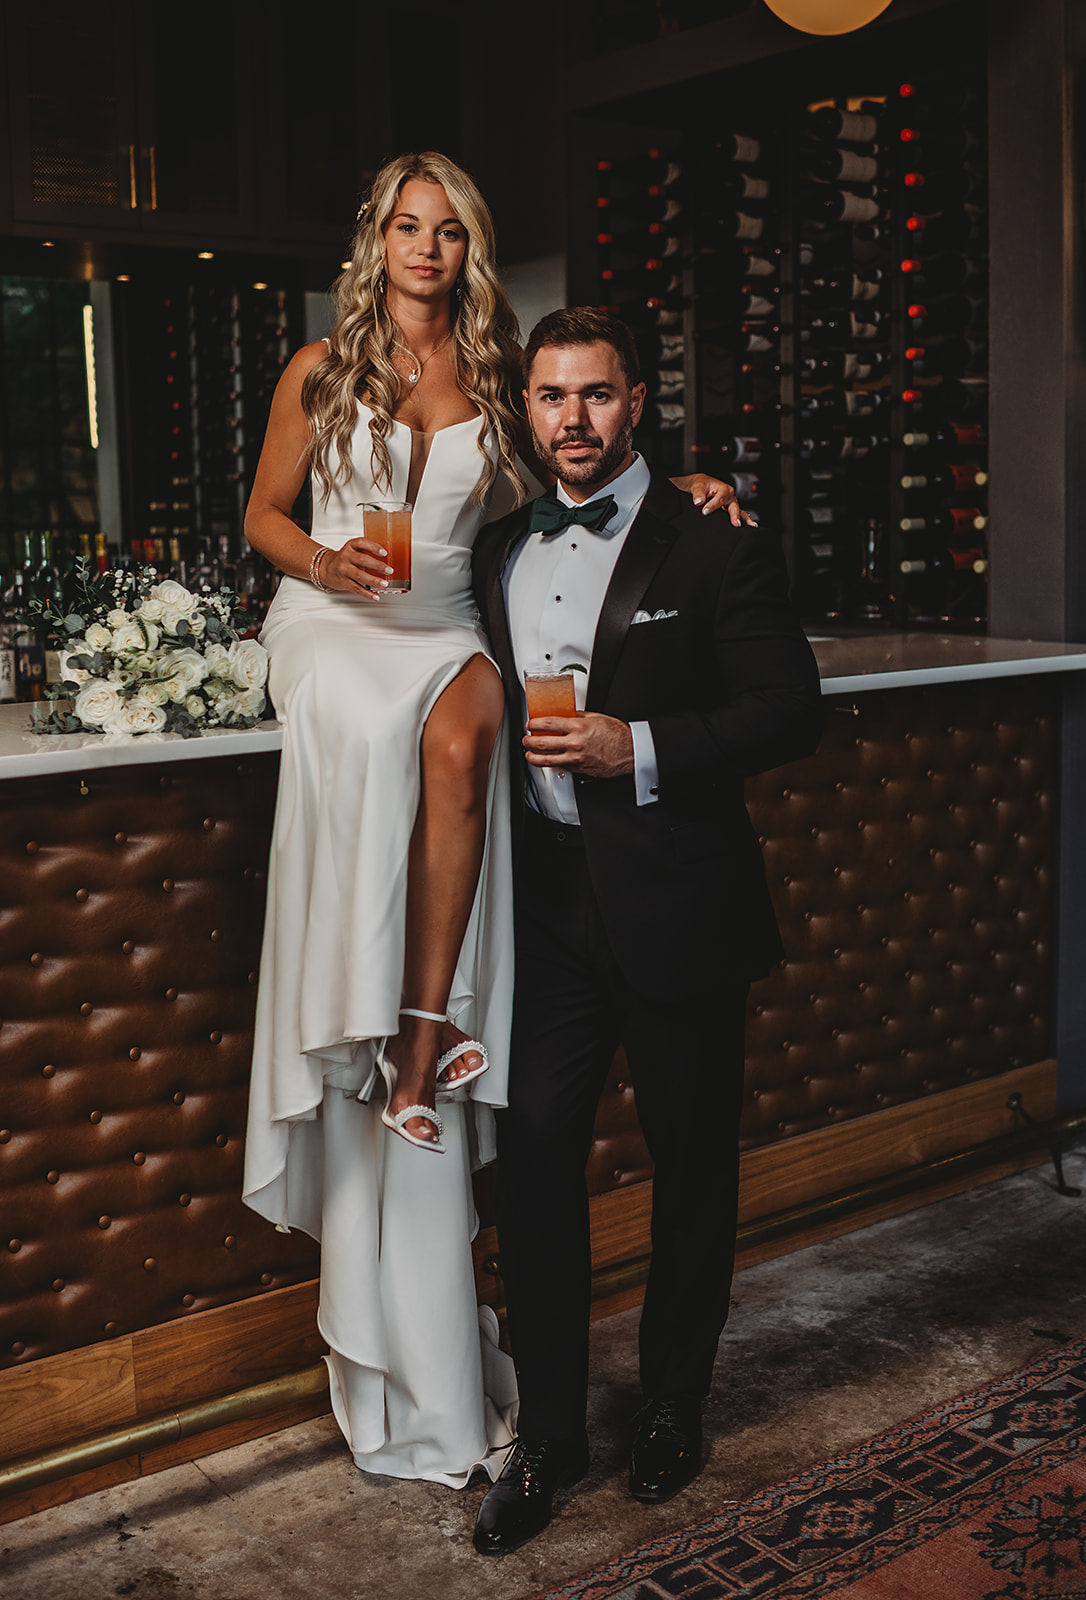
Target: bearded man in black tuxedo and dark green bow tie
642	906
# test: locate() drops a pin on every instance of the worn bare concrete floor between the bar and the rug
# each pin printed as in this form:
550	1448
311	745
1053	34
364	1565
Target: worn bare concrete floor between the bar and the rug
824	1348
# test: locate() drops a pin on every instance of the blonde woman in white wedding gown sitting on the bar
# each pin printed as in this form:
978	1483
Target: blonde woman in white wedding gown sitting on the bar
386	977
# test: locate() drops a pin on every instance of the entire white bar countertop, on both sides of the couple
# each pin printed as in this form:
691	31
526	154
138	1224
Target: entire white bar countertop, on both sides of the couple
848	666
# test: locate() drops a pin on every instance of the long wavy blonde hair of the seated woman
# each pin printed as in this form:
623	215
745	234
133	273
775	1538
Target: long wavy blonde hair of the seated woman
361	343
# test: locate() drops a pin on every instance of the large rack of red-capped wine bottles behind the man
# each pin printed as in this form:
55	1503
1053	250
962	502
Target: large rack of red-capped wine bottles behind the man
807	276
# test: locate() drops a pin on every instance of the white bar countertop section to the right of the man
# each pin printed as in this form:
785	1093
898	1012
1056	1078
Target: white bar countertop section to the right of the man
898	662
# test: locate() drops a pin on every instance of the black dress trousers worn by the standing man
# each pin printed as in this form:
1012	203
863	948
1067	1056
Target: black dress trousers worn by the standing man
687	1054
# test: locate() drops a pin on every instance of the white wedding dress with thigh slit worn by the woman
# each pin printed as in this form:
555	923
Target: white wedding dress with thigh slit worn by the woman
418	1383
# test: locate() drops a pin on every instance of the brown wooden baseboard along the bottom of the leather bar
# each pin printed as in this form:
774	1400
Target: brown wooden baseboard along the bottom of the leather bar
82	1393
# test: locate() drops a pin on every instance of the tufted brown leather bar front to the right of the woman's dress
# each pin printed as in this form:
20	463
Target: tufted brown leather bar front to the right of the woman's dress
911	865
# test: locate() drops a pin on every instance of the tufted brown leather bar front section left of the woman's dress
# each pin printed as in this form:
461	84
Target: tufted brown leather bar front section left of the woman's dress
130	940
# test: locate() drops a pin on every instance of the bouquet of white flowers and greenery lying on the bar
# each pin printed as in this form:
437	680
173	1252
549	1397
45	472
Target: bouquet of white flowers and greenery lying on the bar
146	655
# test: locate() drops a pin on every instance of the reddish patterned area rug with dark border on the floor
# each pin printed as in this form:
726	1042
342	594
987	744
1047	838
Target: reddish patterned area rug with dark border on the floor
983	1498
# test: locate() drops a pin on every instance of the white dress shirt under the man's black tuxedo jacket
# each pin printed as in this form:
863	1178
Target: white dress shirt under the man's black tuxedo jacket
554	588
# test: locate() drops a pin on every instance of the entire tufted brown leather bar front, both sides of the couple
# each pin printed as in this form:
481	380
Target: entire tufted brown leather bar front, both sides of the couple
911	865
